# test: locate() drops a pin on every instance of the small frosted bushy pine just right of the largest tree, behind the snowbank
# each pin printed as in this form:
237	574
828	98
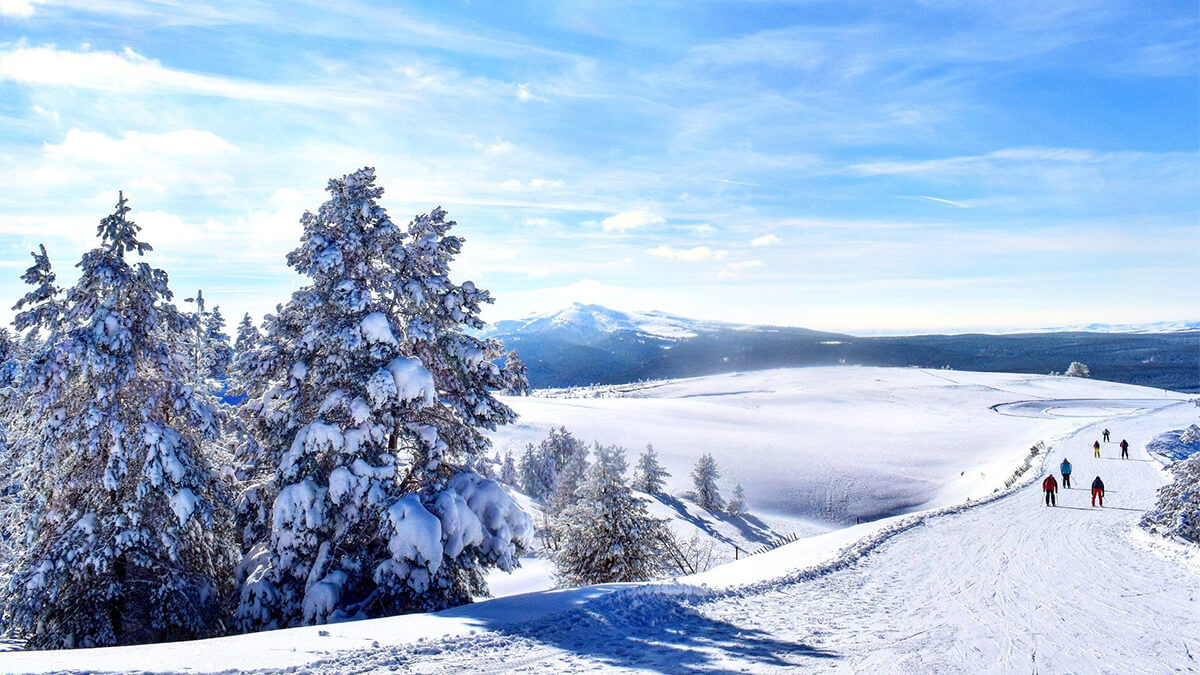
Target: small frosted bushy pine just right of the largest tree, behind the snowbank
608	535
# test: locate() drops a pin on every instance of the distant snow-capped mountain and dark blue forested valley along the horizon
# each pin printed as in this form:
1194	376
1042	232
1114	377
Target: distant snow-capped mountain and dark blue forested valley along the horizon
596	345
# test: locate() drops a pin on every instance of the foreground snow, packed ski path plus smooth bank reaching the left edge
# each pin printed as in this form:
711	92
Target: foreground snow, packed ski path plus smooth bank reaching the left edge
1010	586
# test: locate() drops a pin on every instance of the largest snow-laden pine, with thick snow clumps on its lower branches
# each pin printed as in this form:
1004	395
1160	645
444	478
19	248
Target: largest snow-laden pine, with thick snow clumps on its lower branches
369	399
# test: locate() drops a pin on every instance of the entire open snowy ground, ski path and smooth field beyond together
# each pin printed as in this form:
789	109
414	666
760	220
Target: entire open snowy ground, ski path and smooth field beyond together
1001	586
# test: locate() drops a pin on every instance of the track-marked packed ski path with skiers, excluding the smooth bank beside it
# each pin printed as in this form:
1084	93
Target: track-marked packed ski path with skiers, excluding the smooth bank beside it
1007	587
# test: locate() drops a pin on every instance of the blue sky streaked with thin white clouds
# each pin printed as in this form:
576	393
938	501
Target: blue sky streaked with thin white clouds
871	168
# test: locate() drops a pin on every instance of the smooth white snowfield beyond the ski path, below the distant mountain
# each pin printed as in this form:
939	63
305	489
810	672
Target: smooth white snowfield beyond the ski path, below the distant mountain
835	445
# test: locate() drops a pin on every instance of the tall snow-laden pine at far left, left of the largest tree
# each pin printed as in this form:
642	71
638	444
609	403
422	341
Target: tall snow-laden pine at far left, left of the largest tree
123	543
